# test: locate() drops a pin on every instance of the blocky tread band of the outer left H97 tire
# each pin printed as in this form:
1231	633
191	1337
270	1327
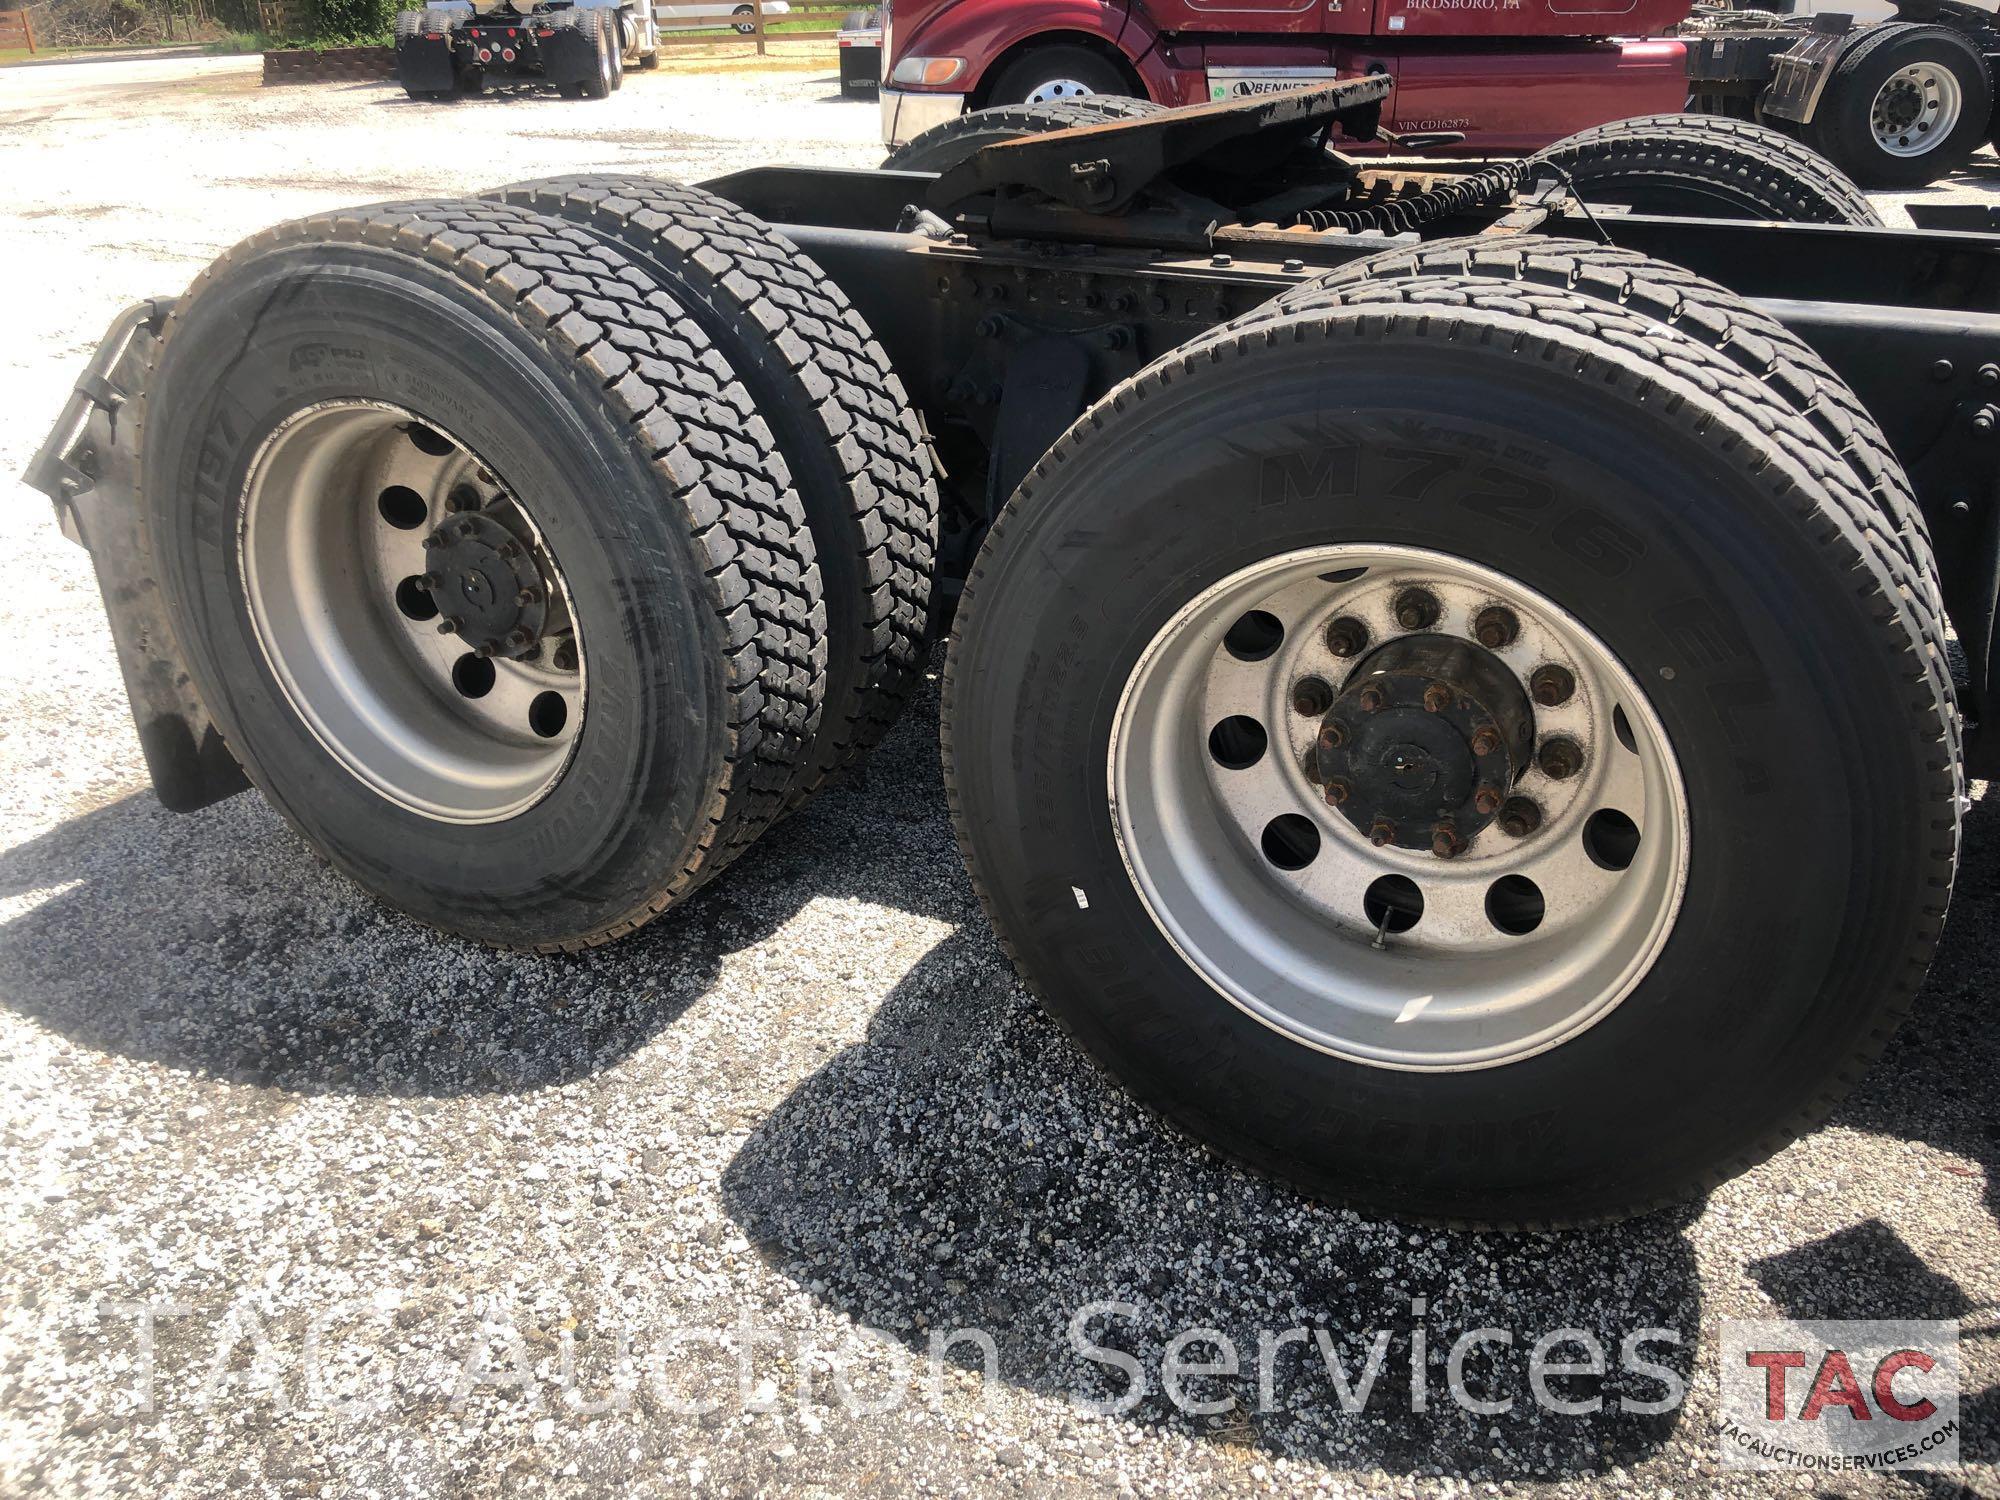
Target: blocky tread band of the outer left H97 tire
661	379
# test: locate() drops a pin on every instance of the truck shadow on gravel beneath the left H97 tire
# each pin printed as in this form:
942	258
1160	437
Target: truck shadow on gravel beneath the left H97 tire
219	945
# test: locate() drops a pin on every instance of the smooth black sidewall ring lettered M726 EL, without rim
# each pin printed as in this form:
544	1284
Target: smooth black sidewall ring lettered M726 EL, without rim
1777	953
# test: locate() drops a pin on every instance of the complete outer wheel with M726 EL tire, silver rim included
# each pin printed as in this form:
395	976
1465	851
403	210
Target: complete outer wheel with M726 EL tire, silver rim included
1145	753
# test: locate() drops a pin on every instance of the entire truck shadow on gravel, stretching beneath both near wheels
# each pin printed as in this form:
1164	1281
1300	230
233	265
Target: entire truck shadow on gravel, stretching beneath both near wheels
965	1167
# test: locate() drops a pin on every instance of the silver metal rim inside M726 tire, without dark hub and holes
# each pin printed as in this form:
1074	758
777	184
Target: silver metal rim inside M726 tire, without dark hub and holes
1305	951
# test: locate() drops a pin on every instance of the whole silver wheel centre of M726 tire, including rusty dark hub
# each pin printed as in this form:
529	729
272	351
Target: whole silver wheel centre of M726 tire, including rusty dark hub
1399	807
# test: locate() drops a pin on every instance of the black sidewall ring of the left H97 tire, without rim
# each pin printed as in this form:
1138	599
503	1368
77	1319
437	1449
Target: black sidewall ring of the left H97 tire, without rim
343	323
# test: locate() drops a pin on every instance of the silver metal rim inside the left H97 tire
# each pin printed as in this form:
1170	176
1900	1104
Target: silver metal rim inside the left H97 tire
345	515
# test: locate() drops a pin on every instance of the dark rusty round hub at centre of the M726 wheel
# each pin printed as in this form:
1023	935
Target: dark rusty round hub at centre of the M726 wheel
1425	741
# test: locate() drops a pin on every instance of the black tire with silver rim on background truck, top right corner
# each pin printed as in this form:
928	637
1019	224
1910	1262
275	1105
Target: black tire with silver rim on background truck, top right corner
1907	105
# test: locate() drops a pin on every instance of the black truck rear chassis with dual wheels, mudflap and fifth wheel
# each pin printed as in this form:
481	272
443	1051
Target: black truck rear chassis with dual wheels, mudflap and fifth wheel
1449	687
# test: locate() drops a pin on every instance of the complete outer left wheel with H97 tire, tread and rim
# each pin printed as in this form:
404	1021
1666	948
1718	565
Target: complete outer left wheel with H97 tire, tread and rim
485	563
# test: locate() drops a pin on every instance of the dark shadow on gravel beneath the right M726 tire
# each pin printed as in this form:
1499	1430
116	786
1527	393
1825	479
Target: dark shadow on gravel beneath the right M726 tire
967	1169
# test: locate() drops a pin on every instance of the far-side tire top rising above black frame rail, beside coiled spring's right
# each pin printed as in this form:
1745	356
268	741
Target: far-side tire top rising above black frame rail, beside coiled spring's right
1709	167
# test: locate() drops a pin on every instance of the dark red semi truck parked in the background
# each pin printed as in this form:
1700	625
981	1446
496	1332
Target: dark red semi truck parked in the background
1897	103
